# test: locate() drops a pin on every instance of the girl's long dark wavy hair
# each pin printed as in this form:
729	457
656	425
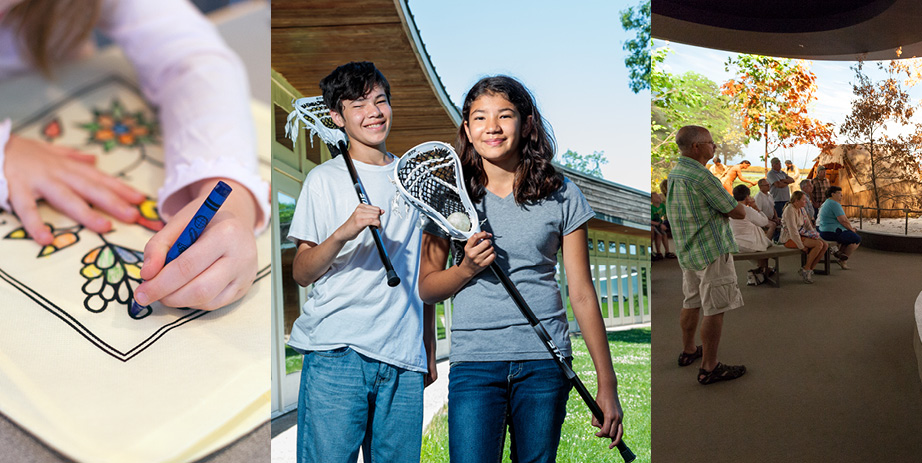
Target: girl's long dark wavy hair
535	177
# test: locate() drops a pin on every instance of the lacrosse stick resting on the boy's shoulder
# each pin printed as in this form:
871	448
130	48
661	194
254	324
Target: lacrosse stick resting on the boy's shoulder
315	116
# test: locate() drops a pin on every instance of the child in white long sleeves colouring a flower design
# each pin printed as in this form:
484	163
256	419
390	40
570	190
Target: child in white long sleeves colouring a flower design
201	91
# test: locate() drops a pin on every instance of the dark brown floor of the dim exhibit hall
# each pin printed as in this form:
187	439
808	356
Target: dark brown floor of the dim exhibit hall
832	375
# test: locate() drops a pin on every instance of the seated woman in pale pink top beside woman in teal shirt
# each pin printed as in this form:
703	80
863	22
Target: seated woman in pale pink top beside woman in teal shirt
797	231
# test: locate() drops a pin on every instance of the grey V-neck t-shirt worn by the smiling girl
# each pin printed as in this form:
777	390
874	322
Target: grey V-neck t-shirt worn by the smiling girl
486	324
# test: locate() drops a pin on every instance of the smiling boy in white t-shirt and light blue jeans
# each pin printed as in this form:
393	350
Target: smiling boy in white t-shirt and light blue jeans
367	347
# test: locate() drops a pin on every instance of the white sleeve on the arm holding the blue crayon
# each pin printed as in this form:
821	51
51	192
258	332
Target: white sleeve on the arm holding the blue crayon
200	88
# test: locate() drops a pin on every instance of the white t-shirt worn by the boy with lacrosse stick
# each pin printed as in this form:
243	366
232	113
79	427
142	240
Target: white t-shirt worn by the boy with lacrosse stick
351	305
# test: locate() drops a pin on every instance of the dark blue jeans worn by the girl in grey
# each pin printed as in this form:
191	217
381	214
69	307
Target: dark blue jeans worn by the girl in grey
483	397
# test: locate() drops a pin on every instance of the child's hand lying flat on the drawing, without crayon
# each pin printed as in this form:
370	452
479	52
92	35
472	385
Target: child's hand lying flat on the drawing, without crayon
69	182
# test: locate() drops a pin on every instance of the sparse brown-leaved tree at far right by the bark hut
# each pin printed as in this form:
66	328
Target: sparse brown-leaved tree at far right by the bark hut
894	153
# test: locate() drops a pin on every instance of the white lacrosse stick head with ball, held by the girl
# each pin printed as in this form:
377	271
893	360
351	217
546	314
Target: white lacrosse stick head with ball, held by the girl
429	177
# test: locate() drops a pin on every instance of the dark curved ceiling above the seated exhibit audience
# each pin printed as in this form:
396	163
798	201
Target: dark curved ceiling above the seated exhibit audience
817	29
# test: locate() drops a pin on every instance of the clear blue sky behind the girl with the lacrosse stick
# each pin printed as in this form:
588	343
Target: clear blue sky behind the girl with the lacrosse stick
571	59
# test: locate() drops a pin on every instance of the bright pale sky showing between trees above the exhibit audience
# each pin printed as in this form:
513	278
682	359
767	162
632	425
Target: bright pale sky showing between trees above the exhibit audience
834	92
